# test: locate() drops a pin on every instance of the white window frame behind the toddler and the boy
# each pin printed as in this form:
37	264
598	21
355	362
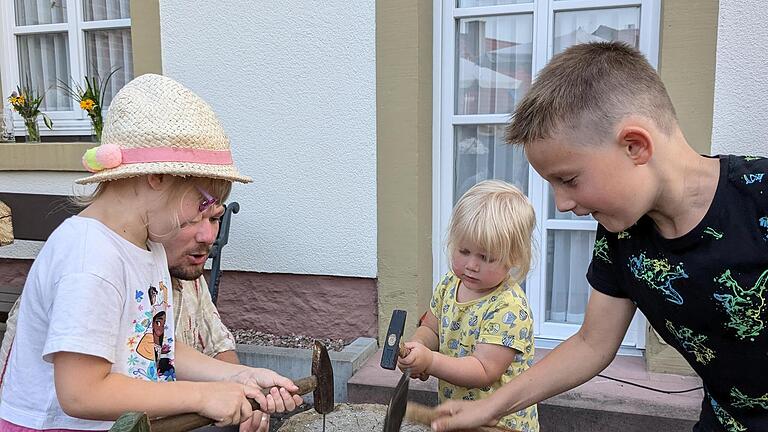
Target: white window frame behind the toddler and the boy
444	120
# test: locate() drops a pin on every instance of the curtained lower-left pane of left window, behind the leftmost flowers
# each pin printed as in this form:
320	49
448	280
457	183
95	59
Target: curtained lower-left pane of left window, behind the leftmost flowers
43	61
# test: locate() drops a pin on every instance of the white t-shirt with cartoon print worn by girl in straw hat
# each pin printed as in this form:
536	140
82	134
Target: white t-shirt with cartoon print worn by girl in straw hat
88	292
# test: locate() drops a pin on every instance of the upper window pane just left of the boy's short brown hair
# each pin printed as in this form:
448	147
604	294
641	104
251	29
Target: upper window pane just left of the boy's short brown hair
494	57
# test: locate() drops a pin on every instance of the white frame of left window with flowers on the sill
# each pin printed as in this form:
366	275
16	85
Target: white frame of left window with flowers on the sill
74	122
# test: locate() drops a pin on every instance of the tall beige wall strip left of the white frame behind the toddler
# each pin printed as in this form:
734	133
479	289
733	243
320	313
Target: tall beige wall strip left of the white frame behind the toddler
404	158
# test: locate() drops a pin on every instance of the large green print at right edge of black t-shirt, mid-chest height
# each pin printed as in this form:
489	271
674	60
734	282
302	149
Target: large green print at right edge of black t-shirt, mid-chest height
743	306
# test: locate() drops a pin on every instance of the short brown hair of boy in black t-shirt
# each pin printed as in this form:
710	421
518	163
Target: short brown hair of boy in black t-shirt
590	87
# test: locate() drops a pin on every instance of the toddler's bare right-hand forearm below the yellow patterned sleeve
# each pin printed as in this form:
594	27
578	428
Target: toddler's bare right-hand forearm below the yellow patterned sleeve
483	368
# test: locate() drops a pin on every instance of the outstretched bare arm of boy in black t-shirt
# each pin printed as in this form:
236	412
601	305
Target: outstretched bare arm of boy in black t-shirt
572	363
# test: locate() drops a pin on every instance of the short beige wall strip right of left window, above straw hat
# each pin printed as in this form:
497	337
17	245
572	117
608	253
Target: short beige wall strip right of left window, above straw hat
145	37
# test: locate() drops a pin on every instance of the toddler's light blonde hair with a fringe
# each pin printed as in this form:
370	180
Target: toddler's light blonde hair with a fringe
498	218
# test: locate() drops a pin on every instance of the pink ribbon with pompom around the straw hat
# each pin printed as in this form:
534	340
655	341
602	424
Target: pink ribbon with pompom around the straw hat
110	156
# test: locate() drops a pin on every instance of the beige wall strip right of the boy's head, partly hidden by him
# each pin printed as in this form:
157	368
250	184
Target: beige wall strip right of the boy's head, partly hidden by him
687	67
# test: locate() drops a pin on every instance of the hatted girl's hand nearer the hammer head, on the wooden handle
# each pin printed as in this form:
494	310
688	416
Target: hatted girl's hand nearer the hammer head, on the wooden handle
280	388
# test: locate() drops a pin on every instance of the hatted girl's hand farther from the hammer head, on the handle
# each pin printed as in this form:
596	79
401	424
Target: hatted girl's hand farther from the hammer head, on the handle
225	402
